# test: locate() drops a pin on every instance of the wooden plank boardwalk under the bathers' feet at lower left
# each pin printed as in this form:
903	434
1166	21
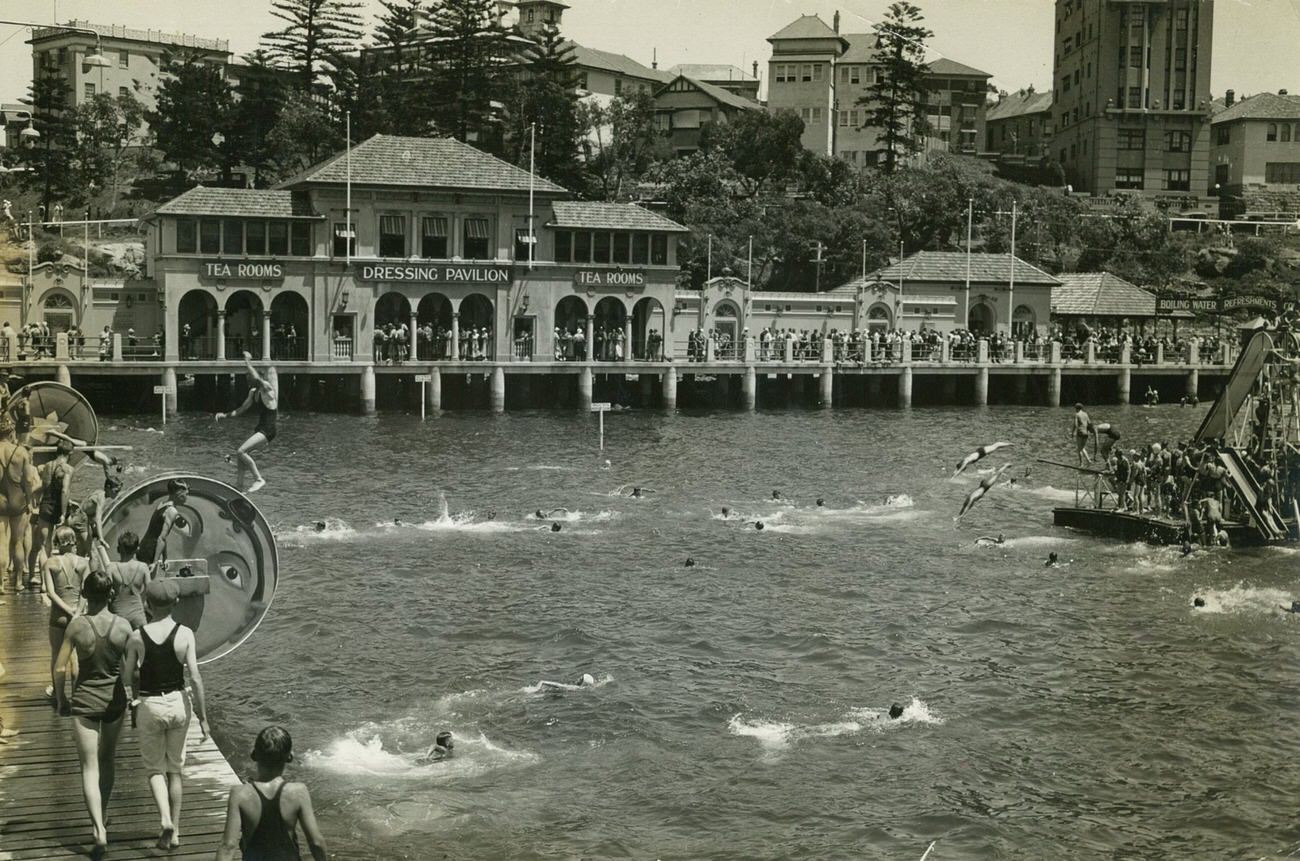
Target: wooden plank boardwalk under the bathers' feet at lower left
42	812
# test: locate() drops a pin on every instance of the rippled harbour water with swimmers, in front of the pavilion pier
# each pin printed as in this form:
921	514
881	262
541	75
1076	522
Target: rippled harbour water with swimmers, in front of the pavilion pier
1081	712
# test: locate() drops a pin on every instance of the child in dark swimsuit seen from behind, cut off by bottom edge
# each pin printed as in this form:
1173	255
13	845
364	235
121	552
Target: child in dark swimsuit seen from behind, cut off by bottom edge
263	815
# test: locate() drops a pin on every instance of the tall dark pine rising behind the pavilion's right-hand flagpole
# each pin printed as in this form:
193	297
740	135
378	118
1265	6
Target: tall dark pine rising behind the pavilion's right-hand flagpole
547	102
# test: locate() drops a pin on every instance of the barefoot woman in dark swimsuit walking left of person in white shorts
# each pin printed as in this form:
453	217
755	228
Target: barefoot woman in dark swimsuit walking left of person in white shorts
98	702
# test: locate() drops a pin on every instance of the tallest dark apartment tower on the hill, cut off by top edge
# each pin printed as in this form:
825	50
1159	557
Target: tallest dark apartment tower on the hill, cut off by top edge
1132	94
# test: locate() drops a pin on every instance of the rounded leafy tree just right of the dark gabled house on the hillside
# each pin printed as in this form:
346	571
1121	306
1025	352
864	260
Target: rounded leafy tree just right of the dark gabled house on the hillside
765	149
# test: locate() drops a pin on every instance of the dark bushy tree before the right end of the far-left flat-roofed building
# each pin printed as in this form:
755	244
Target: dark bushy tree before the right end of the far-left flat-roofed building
194	114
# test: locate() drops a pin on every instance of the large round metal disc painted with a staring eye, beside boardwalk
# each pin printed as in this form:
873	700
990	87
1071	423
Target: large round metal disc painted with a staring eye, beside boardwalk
231	539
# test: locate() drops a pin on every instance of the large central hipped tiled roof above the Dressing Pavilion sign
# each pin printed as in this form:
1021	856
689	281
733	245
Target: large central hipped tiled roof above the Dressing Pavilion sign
424	163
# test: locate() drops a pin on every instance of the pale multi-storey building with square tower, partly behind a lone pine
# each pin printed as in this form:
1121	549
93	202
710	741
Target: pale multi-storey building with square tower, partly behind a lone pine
824	76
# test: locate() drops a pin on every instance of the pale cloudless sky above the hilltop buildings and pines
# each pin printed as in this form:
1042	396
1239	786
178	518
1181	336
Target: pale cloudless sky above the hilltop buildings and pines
1012	40
